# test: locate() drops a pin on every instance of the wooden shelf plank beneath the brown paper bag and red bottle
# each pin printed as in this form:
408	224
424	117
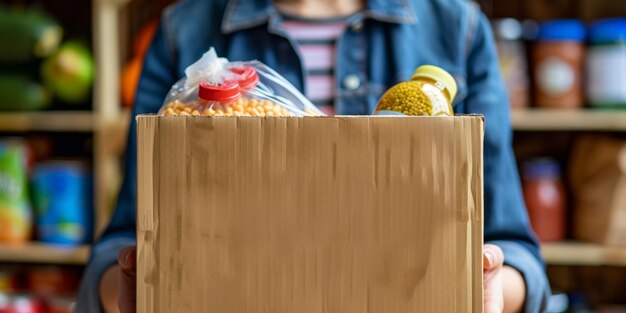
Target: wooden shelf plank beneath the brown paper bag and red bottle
583	254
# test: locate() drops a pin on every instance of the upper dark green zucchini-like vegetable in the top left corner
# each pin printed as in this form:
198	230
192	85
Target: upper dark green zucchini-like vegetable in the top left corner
27	34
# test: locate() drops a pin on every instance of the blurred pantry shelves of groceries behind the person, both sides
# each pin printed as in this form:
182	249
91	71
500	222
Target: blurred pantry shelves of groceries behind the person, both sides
68	80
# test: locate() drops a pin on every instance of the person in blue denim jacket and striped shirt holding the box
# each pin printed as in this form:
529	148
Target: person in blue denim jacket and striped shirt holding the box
343	54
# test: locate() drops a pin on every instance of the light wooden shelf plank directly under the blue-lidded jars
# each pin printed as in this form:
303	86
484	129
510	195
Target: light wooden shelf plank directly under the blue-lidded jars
566	120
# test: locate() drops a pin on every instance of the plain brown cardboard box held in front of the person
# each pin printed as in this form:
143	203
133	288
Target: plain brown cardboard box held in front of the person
310	215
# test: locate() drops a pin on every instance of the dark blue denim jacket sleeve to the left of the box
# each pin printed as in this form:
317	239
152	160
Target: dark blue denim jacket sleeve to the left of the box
156	79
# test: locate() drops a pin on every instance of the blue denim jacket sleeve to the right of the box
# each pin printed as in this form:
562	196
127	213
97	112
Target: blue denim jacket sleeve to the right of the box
506	220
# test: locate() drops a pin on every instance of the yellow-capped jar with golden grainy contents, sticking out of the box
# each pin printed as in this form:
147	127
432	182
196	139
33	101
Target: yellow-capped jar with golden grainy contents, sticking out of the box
429	93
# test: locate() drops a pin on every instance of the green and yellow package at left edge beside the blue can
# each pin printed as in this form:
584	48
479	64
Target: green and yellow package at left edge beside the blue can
15	209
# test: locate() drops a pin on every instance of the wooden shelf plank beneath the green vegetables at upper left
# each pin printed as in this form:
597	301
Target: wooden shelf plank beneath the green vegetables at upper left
70	121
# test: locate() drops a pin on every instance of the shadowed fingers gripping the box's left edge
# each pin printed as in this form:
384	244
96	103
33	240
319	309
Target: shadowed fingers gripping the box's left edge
127	261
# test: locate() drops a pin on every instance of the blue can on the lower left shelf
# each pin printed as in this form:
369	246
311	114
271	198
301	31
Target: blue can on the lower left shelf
61	192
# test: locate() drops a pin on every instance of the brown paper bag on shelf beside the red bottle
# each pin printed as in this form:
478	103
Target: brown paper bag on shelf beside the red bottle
597	176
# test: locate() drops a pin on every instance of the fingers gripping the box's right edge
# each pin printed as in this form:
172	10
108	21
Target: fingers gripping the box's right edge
493	261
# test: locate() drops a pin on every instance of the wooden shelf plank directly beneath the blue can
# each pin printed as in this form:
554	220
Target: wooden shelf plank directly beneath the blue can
42	253
